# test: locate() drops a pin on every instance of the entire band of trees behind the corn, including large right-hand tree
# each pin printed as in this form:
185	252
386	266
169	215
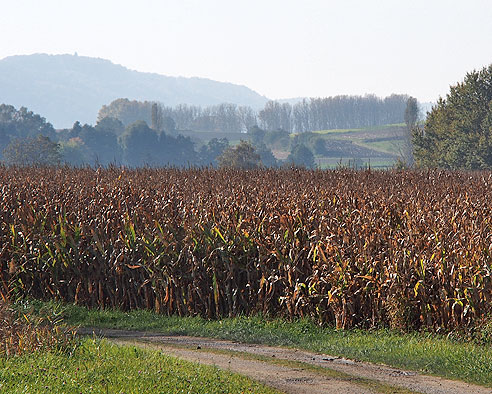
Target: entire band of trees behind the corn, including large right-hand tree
457	133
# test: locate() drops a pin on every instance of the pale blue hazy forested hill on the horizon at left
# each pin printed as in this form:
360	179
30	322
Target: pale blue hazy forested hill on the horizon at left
67	88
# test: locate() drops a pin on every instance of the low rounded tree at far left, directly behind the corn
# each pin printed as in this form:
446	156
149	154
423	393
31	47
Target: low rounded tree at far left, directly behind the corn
32	151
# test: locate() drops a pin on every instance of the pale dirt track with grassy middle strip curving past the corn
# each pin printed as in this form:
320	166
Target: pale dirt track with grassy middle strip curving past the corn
338	375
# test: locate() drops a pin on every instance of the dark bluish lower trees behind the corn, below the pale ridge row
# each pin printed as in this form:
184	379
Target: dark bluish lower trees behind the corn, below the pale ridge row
28	139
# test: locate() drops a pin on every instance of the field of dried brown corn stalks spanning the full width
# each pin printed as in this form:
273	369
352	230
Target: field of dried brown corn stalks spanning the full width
407	250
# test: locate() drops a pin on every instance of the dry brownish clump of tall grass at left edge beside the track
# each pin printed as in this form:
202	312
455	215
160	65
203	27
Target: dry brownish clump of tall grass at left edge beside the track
23	332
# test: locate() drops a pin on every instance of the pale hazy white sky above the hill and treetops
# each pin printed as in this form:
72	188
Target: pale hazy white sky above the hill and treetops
280	48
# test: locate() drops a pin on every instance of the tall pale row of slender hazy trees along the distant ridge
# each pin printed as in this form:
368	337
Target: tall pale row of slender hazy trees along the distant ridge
339	112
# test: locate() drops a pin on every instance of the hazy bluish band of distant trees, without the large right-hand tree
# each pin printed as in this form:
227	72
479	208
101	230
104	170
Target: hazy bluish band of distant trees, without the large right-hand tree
137	133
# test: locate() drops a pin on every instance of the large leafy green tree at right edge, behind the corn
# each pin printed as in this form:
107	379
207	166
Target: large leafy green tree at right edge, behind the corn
457	133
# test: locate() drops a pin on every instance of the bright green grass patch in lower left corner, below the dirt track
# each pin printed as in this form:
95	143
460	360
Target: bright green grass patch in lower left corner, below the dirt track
99	367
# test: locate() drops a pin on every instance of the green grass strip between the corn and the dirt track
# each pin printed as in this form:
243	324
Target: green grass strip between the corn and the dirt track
428	353
